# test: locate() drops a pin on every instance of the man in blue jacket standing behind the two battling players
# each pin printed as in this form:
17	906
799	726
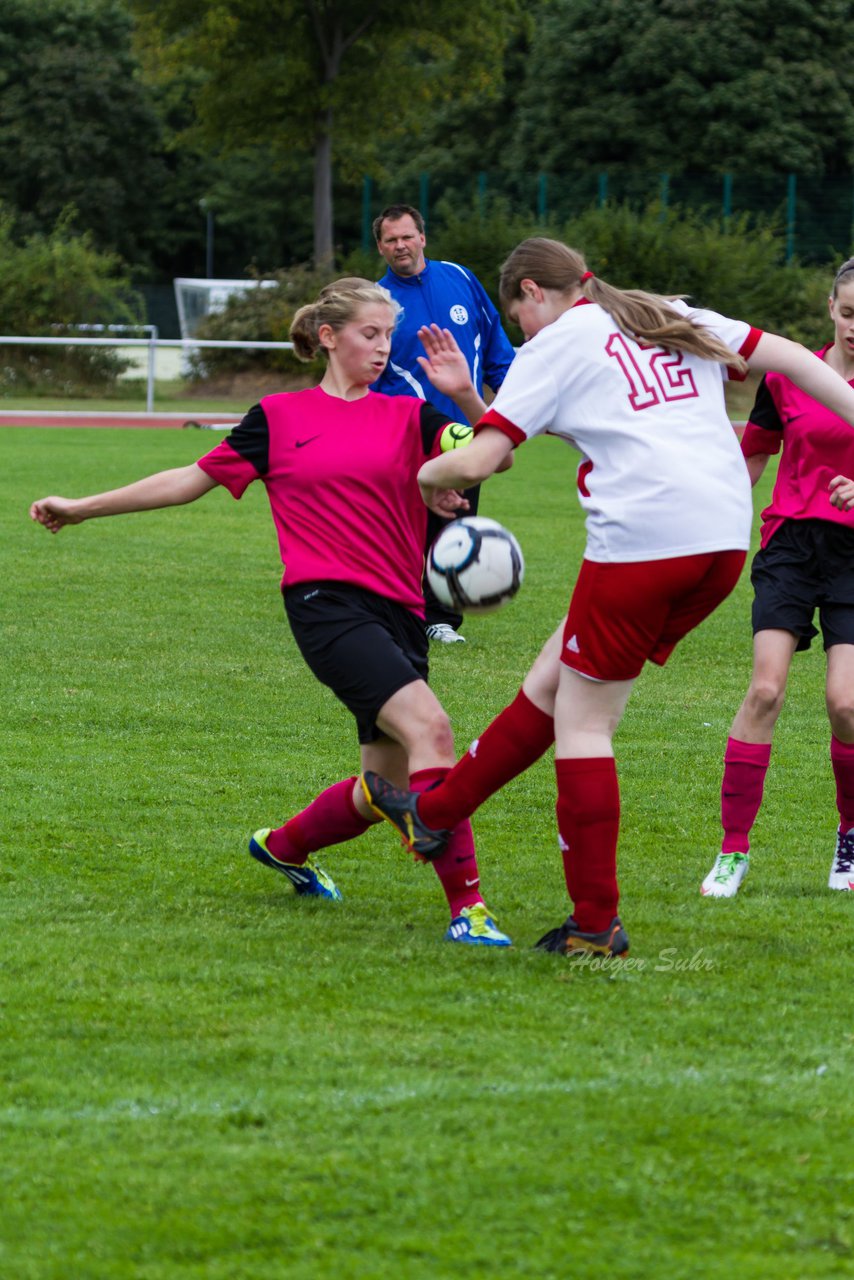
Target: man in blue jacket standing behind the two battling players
444	294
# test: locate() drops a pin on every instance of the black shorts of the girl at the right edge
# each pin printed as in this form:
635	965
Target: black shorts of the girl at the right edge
809	565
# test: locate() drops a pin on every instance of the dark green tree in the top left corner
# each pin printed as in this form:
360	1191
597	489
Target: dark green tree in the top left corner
76	125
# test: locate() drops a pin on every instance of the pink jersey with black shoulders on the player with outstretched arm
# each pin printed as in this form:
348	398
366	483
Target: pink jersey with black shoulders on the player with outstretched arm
341	482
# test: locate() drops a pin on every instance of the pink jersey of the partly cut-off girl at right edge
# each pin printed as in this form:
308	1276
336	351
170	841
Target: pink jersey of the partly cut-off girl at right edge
818	445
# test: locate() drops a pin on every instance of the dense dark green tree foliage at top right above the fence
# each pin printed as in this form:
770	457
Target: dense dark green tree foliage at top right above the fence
752	86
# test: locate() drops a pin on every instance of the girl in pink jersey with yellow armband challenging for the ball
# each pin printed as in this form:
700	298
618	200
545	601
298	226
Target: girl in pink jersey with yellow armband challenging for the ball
340	464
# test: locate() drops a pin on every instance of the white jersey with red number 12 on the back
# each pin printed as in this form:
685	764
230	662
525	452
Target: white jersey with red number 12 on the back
663	474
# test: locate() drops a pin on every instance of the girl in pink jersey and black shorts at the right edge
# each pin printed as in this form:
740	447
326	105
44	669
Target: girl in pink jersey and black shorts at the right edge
806	563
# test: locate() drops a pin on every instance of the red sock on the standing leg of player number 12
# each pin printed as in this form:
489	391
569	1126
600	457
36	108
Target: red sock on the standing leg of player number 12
588	825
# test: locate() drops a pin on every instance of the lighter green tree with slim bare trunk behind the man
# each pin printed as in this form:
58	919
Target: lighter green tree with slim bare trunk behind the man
327	79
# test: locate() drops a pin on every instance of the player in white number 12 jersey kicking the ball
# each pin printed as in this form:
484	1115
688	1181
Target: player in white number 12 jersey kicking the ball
636	383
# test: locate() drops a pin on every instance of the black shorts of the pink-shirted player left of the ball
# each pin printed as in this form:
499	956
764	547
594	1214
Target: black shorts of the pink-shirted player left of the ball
359	644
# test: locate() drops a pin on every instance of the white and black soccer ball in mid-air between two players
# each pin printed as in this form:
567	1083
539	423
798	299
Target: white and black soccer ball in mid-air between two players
476	565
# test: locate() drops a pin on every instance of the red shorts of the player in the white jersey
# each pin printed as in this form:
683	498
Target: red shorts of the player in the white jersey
625	615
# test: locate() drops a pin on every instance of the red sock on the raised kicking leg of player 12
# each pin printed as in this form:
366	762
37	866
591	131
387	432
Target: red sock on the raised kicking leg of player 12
512	744
